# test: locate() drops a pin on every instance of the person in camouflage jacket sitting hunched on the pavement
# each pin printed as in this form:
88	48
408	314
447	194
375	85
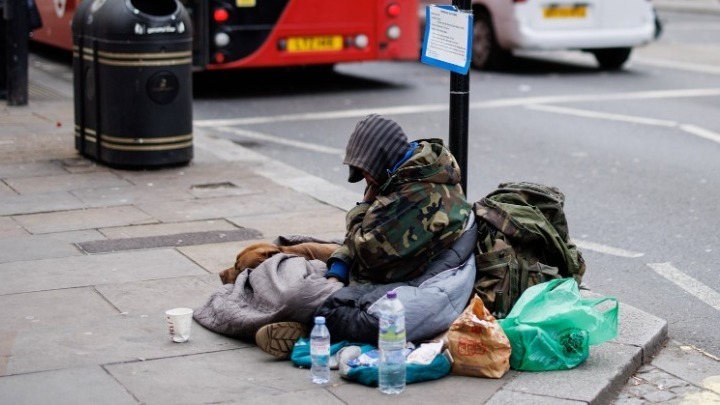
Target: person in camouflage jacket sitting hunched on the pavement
413	232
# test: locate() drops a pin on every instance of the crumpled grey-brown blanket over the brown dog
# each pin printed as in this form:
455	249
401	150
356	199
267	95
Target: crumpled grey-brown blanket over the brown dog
282	288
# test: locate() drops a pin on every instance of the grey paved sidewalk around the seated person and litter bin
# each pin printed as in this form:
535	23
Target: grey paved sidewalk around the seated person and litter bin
82	318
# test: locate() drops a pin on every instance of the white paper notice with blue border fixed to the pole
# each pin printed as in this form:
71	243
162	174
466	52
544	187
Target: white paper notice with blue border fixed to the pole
448	38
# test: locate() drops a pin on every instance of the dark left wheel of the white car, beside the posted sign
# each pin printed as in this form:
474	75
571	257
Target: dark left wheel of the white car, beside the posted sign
486	52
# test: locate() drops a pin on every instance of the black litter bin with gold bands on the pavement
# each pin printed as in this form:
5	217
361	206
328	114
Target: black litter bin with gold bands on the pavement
132	62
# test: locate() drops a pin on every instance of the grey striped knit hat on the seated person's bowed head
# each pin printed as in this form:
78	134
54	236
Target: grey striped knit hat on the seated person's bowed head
375	146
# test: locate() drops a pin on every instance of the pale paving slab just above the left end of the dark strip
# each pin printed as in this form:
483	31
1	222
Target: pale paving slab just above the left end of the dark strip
73	220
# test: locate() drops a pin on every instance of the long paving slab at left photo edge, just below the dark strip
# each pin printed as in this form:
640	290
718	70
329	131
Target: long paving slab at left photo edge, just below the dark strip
82	271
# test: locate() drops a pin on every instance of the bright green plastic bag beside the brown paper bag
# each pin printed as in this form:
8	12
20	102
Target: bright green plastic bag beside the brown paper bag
551	327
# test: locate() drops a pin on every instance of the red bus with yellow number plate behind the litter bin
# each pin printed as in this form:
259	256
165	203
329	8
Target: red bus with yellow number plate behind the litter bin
234	34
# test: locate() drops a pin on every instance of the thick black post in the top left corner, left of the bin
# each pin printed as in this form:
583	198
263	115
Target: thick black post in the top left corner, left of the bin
18	33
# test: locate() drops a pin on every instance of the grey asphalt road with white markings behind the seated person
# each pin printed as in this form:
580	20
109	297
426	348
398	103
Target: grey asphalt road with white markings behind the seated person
634	151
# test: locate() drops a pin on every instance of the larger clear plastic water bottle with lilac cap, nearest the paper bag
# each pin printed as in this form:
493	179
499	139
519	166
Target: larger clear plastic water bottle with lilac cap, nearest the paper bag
391	342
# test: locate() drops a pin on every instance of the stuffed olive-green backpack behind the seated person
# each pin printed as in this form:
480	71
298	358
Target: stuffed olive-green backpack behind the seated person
522	241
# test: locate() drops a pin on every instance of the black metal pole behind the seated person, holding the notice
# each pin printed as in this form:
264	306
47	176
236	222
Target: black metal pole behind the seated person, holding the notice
459	107
